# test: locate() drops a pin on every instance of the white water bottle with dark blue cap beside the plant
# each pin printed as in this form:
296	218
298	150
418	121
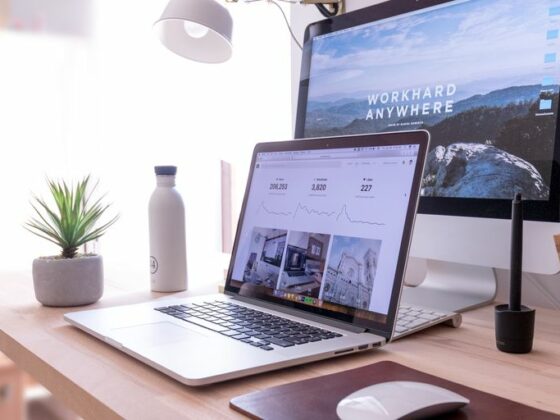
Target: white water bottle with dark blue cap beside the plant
168	256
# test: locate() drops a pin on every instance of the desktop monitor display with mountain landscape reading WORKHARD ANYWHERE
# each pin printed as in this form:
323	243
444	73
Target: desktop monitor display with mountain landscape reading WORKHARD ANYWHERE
482	76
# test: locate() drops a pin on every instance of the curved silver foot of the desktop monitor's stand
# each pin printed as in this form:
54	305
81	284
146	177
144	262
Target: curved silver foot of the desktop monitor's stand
452	287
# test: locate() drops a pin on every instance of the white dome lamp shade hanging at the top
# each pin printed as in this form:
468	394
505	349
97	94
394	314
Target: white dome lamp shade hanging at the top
199	30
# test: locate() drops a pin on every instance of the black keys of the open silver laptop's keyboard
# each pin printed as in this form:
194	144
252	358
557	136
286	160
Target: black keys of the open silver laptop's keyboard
259	329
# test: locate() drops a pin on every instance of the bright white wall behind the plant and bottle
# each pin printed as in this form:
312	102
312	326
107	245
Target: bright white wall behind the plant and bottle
116	104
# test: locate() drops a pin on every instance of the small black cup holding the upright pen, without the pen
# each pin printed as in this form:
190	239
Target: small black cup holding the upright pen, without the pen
514	329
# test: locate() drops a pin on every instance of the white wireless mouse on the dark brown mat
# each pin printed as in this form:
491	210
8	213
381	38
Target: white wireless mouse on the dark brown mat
399	400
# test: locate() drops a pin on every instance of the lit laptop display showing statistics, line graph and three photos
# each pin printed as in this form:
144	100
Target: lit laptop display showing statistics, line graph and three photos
324	227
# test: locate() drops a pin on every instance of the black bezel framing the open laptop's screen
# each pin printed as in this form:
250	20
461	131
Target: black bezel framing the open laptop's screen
419	137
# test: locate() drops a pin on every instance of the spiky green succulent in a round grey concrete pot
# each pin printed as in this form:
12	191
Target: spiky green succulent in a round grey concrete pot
71	278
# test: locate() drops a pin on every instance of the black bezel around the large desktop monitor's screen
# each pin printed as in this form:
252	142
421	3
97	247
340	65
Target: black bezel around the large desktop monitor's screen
538	210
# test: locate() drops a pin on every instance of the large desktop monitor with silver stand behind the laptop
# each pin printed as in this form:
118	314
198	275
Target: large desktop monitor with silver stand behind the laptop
482	76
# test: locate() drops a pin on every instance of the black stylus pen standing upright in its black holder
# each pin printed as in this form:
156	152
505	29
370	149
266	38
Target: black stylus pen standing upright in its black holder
515	323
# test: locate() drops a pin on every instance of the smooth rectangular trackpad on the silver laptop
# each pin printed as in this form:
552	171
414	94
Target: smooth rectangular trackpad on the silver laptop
154	334
